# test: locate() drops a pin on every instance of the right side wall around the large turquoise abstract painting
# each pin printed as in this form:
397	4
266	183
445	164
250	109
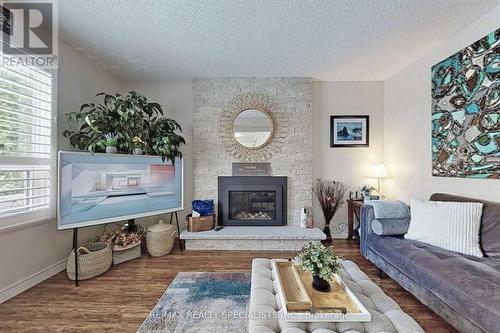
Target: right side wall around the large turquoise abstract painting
408	124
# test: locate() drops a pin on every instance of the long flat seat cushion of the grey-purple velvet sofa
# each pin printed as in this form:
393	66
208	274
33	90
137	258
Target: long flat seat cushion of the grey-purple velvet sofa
467	284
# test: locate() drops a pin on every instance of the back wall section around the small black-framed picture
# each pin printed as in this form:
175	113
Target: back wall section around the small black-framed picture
348	165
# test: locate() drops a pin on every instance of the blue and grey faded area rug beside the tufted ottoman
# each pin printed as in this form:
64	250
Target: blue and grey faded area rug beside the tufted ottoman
202	302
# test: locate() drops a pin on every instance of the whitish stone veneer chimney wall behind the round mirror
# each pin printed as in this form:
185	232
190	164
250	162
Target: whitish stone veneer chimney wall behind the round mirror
293	96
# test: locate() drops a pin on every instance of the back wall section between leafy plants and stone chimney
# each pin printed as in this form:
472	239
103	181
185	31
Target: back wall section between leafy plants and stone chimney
176	98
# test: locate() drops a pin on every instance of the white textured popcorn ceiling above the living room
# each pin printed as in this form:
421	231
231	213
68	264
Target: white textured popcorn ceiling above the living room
323	39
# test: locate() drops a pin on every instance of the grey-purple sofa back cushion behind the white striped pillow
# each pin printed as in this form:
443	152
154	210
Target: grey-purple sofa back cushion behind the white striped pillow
490	224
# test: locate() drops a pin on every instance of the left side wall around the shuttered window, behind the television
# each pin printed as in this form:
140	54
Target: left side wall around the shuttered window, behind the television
28	251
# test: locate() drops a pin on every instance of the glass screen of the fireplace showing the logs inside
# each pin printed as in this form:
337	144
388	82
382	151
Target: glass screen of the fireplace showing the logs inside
252	205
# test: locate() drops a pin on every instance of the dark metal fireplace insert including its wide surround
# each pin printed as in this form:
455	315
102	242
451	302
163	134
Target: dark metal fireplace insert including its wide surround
252	201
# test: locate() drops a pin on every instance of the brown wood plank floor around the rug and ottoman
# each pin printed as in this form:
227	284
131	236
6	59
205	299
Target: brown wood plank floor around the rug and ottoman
120	299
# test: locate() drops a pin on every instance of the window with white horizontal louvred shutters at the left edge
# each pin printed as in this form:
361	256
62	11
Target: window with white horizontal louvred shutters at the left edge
27	146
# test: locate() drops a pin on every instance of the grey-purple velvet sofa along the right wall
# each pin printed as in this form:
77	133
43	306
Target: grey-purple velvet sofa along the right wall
464	290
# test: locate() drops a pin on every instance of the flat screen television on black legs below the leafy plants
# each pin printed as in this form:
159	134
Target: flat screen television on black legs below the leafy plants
103	188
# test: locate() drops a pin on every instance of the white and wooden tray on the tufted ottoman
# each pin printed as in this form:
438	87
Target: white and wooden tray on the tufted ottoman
301	302
